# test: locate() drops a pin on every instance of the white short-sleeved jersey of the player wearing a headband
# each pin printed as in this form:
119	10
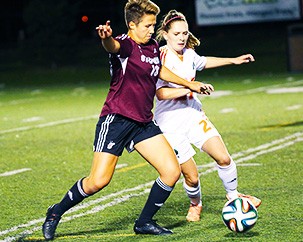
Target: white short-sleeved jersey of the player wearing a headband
172	115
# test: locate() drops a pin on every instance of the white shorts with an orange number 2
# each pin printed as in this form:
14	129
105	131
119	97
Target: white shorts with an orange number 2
197	134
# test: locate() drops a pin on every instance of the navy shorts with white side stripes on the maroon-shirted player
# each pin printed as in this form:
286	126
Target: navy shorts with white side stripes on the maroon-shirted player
115	132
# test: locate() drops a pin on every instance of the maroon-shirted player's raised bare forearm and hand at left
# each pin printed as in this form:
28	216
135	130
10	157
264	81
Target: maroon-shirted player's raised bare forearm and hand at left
109	43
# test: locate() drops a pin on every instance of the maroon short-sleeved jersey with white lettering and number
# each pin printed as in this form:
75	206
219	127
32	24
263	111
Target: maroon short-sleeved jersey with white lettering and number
134	73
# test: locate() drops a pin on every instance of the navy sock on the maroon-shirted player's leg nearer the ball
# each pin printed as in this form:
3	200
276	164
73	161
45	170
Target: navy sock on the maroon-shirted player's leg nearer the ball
157	196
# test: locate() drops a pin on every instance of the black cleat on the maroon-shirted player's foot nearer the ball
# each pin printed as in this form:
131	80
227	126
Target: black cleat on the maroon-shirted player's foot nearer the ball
151	227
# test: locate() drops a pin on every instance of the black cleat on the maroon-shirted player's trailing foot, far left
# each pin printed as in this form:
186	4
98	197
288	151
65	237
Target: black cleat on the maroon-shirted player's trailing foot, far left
50	224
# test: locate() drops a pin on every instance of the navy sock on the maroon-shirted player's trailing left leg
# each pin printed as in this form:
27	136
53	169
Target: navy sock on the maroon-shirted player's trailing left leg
74	196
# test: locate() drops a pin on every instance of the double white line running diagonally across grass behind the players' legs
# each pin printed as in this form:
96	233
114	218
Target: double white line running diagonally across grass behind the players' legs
144	188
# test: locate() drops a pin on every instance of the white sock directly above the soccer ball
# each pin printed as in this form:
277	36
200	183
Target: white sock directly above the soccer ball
229	177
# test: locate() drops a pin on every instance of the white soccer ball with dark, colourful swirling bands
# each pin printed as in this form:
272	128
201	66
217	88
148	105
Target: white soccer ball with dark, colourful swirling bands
239	215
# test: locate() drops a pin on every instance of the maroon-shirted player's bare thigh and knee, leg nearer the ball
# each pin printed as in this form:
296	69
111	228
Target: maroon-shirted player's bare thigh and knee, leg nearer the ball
158	152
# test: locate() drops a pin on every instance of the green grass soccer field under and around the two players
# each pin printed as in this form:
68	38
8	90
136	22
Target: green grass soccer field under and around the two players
47	121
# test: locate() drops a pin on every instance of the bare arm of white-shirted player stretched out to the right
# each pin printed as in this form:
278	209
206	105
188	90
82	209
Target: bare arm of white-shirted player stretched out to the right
213	62
